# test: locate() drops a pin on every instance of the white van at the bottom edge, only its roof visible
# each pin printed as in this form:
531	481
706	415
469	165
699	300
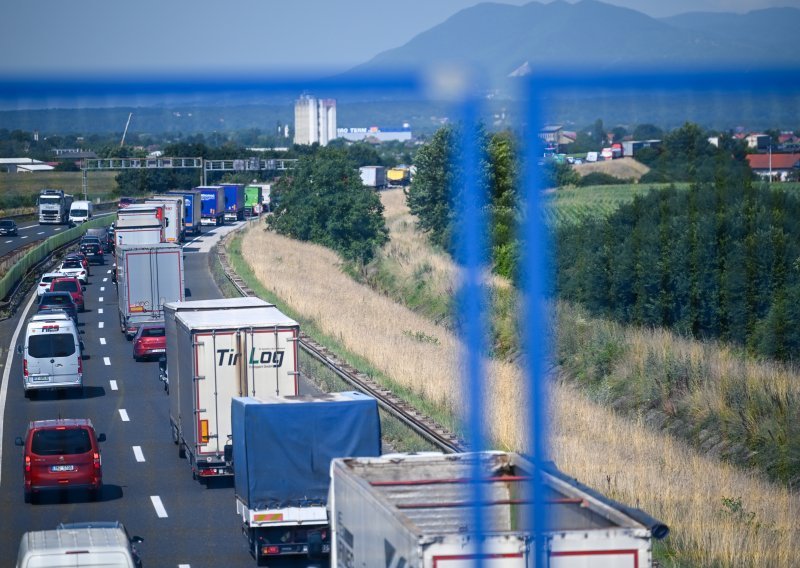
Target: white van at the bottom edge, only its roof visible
105	544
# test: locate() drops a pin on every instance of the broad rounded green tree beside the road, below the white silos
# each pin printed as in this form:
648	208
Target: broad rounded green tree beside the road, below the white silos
324	201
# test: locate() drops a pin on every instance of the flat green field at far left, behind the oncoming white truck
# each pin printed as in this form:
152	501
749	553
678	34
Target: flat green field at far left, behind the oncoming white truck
18	192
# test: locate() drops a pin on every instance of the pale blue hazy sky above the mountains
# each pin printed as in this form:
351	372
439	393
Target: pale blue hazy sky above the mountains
48	37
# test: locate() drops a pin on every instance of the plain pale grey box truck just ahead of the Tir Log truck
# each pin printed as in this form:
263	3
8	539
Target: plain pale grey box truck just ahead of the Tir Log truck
147	277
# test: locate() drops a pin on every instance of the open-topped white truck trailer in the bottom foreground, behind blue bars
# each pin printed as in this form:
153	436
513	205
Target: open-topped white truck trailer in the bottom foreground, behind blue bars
415	510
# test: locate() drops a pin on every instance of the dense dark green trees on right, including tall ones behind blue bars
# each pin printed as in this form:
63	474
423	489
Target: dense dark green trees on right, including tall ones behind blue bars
720	260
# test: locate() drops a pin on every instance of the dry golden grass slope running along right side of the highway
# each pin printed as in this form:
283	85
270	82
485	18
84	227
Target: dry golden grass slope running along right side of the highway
719	515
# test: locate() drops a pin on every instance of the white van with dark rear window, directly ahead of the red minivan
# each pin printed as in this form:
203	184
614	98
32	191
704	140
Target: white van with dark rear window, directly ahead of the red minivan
52	353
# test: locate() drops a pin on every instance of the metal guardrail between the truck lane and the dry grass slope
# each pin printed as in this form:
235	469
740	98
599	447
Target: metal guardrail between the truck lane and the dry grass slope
427	428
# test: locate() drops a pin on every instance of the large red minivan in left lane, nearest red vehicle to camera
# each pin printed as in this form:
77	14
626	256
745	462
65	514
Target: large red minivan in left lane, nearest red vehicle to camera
61	454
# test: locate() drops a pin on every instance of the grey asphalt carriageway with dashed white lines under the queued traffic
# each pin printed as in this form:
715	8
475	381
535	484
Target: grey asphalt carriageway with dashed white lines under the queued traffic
146	485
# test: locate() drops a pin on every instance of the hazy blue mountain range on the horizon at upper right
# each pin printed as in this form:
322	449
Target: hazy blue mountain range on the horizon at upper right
499	39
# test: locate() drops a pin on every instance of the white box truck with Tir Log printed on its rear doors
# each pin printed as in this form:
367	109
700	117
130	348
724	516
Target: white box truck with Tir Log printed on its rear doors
218	350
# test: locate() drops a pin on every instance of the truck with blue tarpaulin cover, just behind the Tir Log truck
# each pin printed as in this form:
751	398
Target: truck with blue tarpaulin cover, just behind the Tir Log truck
282	449
